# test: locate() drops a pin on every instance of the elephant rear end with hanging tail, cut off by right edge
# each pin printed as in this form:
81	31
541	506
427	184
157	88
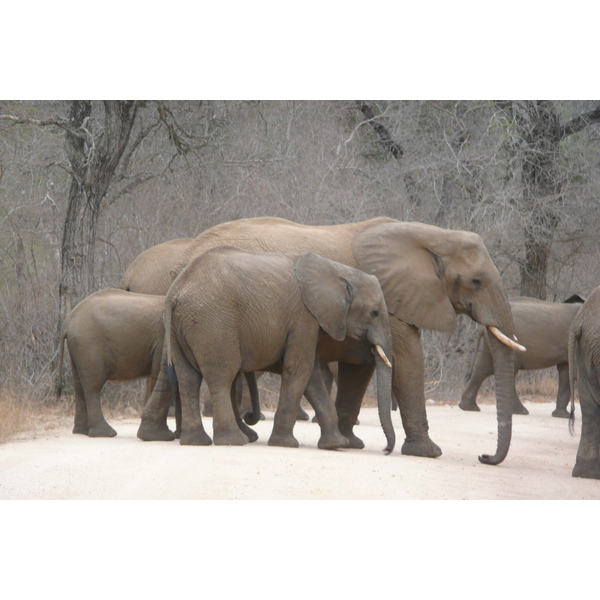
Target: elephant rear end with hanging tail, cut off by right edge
584	374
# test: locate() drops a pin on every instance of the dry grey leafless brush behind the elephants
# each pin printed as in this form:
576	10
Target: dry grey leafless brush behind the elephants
191	165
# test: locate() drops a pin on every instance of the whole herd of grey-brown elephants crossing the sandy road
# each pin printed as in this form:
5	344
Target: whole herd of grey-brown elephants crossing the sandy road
267	294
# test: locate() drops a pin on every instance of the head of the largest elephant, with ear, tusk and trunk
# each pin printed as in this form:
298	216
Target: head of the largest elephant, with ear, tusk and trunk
429	275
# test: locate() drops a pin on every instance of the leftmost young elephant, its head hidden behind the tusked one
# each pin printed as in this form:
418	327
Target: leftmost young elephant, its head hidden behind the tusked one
111	335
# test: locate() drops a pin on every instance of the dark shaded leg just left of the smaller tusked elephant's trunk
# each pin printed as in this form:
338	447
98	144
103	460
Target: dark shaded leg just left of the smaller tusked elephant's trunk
353	381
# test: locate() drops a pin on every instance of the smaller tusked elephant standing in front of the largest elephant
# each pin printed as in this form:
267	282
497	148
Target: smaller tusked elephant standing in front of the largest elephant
232	310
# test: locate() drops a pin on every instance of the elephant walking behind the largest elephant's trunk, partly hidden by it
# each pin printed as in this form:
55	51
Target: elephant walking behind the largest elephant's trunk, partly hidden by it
543	328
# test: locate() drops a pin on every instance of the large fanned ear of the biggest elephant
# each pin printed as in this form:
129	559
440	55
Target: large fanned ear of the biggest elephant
410	272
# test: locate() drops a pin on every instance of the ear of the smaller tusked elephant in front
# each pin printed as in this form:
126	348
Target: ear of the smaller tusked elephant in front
326	292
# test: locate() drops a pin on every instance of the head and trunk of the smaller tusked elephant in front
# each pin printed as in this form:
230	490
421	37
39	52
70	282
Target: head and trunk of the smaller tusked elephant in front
350	303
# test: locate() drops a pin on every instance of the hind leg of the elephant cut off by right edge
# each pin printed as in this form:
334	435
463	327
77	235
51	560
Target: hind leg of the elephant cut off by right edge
587	463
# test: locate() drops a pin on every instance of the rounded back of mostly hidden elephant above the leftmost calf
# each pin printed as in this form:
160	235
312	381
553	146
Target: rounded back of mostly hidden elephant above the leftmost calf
149	273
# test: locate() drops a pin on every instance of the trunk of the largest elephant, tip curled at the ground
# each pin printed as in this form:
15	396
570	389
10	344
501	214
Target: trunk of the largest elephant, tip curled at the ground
503	359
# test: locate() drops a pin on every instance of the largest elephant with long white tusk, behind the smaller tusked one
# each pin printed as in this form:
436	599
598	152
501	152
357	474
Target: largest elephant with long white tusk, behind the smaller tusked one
428	275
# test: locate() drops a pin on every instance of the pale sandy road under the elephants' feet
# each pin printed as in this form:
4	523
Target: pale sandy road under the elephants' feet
55	464
